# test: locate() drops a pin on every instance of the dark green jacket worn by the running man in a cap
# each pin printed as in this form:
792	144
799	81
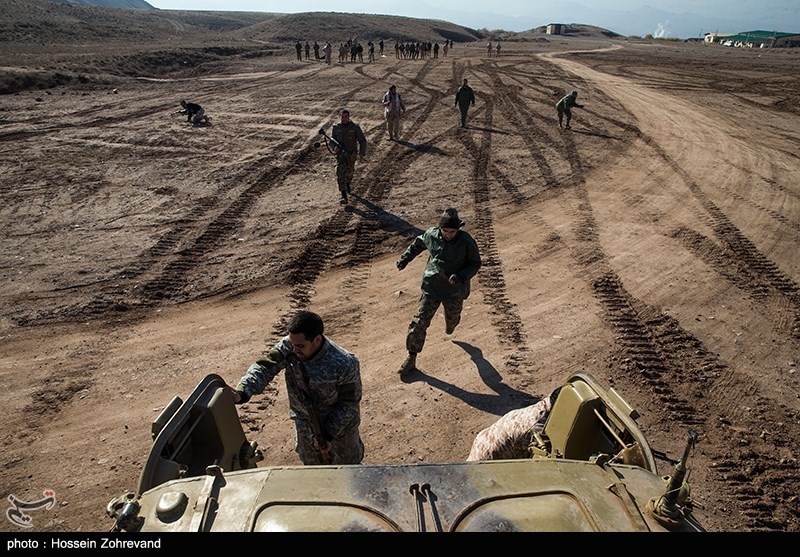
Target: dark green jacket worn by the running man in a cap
458	257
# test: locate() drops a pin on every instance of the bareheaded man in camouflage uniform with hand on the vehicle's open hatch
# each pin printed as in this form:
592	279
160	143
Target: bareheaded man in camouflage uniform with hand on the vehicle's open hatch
323	382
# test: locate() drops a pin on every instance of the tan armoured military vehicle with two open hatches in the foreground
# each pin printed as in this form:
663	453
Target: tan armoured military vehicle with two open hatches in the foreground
590	469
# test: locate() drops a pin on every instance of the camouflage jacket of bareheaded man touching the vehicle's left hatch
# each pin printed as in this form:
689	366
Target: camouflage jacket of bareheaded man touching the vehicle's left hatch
333	379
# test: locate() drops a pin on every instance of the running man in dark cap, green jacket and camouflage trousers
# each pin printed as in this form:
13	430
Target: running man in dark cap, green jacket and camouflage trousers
453	260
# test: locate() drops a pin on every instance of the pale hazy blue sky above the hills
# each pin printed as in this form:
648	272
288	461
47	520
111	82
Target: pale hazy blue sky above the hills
661	18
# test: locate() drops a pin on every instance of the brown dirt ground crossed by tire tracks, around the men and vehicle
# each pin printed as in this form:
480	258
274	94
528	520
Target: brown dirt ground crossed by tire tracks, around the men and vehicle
654	245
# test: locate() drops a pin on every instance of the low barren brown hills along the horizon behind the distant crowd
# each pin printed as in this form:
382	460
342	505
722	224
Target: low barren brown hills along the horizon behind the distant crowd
136	22
